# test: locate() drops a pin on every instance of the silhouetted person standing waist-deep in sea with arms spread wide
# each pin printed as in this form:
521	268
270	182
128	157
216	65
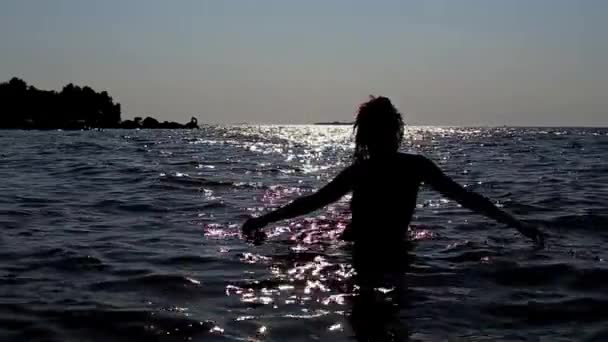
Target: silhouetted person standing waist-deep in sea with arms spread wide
384	185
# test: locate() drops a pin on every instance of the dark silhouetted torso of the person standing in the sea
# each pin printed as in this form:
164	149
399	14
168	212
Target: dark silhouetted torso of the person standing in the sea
384	192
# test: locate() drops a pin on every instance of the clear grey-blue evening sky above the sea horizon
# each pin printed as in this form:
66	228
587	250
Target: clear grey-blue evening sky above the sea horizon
442	62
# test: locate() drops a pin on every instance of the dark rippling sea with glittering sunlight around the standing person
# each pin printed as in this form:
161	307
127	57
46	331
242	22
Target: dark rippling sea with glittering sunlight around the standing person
133	235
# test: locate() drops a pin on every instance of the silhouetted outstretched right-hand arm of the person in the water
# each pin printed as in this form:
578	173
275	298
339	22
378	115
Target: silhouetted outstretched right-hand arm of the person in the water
433	176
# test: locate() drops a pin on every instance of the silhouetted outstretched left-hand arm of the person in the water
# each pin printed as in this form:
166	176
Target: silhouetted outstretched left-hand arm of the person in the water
331	192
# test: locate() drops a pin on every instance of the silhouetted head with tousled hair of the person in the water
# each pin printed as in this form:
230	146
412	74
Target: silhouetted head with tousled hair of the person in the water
378	129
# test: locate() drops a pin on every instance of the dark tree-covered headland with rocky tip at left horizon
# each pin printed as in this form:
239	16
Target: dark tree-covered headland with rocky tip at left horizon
74	107
